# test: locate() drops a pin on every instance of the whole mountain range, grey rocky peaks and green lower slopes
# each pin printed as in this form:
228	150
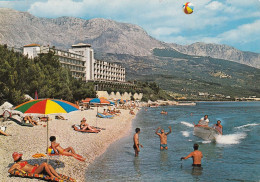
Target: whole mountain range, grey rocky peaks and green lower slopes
184	69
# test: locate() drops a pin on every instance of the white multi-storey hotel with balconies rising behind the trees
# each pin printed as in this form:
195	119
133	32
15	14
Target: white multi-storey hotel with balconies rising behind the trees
80	61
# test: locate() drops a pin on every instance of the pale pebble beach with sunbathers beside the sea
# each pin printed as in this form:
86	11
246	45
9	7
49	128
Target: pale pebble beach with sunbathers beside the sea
29	141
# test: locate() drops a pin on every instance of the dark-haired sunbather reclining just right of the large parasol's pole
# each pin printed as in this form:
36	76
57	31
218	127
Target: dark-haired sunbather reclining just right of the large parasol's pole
57	149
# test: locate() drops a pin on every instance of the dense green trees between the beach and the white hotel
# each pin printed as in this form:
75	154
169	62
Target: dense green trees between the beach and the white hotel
20	75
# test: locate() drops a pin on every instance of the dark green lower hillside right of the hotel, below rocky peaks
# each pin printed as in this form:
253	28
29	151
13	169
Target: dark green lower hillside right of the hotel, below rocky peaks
188	75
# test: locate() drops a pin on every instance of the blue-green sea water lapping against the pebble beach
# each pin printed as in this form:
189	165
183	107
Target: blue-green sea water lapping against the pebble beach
235	156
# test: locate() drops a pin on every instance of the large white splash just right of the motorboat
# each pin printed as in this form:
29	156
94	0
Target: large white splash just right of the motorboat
230	139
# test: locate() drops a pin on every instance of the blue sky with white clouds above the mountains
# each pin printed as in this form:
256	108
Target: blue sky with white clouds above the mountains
232	22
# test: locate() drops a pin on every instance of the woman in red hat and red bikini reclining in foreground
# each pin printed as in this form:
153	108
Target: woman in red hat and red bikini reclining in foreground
24	166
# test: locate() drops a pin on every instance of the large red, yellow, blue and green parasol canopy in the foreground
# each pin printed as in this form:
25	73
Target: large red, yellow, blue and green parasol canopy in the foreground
46	106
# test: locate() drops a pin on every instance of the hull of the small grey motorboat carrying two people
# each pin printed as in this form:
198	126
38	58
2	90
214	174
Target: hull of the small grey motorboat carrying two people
205	132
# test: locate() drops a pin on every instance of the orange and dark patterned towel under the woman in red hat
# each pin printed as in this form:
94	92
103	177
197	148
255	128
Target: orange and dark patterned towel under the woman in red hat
41	176
